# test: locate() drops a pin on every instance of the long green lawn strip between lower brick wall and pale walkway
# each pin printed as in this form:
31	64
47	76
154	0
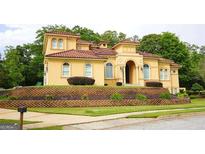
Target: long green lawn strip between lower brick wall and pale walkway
99	111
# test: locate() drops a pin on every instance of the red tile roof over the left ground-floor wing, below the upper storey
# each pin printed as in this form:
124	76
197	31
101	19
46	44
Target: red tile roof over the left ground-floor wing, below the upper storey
76	54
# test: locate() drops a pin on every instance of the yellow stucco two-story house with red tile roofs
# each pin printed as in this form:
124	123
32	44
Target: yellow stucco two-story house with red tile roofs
66	55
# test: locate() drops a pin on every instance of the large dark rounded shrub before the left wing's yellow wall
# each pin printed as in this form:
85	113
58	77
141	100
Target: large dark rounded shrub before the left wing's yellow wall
78	80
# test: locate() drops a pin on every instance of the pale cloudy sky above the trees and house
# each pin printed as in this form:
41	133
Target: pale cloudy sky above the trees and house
191	33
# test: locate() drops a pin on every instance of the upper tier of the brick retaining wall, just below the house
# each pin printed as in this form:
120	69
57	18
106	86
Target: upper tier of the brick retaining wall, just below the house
75	93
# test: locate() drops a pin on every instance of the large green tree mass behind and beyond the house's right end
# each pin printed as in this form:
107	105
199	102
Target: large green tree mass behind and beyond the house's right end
168	45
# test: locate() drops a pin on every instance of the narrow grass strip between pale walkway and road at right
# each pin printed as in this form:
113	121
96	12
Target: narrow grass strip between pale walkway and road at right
158	114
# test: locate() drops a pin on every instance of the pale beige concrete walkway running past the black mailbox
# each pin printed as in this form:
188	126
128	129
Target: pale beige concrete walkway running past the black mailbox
62	119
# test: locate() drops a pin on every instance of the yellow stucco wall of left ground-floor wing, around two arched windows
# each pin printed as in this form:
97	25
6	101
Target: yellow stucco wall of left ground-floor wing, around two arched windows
54	75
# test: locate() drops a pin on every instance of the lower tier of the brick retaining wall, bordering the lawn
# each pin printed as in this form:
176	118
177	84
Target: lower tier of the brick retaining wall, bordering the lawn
88	103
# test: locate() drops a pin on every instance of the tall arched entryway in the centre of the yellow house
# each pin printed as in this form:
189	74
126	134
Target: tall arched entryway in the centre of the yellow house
130	72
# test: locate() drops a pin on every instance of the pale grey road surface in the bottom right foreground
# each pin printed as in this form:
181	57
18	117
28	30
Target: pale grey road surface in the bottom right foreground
185	122
